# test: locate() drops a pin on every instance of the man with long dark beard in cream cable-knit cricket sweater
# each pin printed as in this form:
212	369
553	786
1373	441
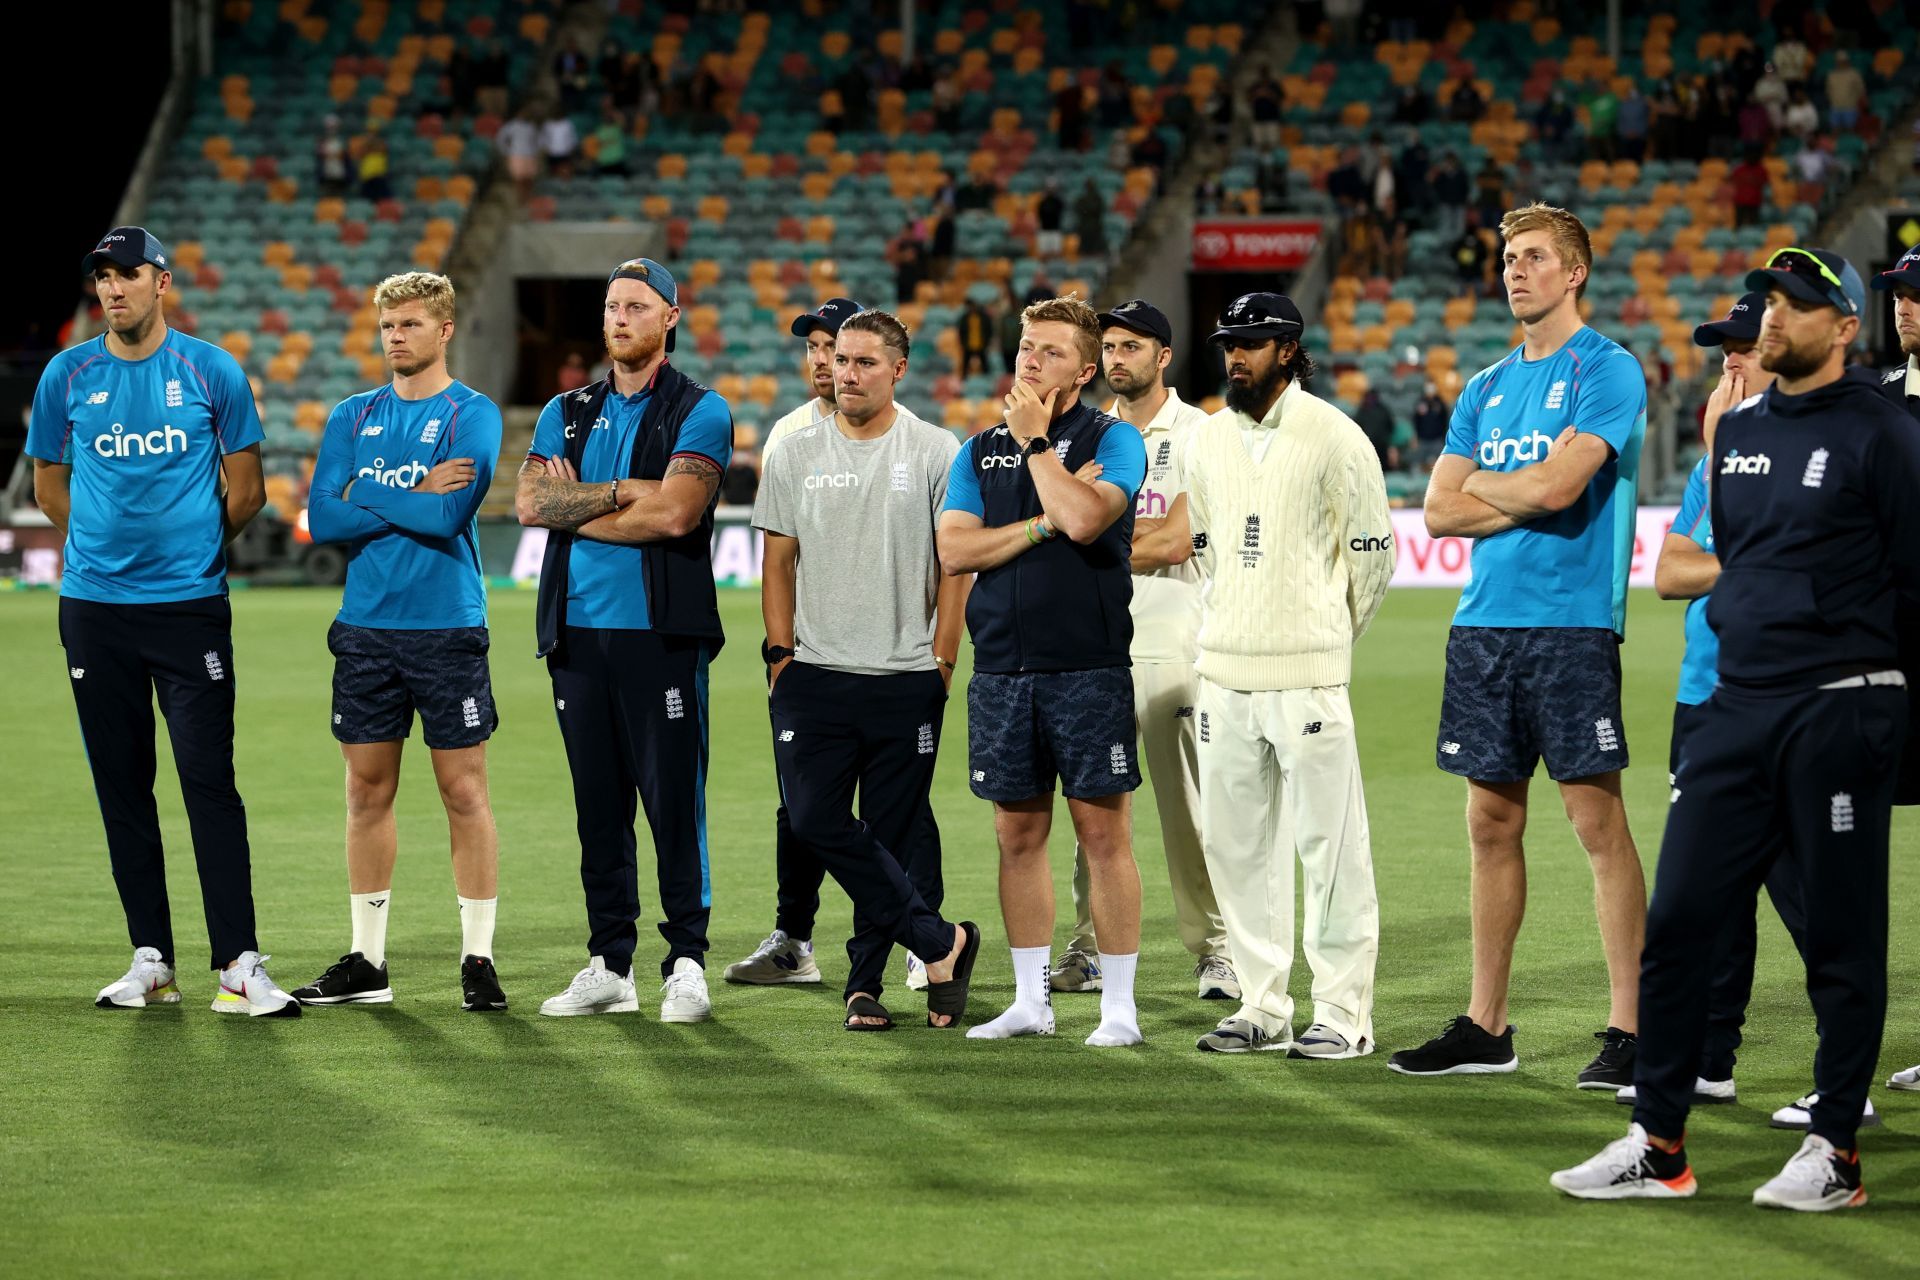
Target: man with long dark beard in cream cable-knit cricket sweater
1287	510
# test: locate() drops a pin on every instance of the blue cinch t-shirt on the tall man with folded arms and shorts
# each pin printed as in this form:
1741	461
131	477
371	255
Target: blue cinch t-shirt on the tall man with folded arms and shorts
1566	569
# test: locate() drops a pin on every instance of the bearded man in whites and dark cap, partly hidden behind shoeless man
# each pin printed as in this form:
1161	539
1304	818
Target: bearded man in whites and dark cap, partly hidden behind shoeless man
1136	350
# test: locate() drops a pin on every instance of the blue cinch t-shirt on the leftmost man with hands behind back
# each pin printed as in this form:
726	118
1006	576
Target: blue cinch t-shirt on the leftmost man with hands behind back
145	440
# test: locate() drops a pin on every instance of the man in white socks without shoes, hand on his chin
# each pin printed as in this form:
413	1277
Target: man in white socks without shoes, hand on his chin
1051	694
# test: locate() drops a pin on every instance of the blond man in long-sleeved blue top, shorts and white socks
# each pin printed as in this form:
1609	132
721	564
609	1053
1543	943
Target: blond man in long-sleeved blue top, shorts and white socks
400	481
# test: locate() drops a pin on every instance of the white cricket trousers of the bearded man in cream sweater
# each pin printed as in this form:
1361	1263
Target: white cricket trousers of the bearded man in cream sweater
1280	776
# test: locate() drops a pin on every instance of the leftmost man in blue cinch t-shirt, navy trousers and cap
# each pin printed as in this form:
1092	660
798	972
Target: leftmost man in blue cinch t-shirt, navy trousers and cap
147	460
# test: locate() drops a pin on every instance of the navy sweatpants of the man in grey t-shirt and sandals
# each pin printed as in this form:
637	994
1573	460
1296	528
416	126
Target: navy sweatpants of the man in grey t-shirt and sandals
878	734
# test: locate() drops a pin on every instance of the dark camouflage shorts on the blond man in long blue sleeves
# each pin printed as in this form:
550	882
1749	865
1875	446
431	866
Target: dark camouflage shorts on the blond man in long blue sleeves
383	676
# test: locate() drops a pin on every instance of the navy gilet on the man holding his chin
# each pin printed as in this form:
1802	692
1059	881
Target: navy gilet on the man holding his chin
1063	605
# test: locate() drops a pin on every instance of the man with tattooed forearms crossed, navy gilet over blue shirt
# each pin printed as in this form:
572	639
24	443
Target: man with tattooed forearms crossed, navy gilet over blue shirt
625	475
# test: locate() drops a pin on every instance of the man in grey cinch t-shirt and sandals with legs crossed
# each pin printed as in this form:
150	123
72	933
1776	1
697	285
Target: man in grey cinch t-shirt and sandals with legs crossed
861	630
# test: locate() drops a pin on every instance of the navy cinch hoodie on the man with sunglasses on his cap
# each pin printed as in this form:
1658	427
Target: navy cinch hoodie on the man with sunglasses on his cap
1817	525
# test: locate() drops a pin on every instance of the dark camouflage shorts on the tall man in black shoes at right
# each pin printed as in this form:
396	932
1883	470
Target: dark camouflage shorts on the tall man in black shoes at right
1520	696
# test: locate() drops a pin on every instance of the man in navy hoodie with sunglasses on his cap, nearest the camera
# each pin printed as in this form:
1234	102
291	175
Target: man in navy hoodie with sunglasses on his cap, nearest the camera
1796	753
